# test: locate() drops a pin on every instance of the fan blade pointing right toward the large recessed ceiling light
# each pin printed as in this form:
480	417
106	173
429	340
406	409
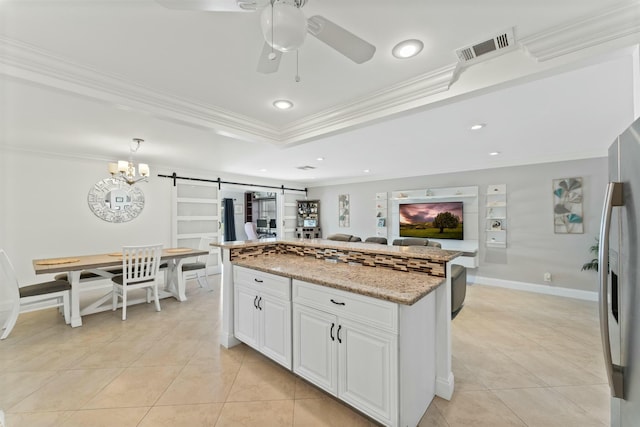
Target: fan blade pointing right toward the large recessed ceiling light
345	42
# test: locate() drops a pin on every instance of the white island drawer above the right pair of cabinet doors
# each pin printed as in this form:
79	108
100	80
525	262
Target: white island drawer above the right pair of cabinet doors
367	310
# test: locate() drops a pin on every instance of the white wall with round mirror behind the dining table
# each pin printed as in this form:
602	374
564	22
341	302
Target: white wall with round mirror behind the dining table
44	211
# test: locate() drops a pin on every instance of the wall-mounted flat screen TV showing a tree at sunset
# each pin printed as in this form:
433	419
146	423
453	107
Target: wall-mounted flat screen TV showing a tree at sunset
437	220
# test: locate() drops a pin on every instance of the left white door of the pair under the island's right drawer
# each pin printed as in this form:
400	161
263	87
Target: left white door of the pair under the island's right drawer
314	347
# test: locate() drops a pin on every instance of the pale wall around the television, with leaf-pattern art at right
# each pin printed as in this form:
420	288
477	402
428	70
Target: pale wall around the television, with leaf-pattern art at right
532	246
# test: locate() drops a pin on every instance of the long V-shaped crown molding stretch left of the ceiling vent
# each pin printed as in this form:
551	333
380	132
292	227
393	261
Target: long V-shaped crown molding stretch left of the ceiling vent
28	62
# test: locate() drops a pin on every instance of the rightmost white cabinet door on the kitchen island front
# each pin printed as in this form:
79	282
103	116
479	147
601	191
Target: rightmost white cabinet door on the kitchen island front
368	370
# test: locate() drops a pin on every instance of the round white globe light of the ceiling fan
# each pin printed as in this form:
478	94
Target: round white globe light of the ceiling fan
284	26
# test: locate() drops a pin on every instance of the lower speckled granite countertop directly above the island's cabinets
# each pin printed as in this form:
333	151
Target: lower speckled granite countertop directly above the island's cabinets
396	286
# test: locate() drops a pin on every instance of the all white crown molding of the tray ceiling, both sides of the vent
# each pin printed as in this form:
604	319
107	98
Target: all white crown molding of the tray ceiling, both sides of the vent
31	63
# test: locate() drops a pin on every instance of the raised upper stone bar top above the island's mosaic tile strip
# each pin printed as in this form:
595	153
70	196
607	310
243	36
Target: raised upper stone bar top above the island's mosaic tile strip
419	252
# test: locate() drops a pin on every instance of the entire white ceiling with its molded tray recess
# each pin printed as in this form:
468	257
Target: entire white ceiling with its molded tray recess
84	77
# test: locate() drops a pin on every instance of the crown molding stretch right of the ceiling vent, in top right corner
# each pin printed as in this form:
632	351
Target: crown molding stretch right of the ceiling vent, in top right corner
603	26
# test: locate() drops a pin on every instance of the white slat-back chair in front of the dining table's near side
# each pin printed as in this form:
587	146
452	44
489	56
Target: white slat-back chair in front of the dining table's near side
140	266
